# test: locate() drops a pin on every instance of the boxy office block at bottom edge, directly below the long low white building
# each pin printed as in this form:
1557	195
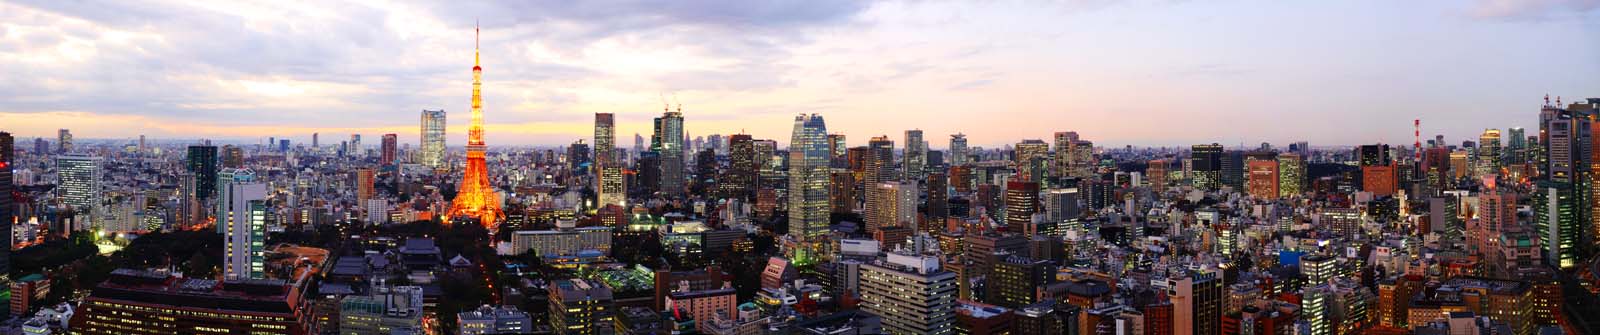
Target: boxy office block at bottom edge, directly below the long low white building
580	307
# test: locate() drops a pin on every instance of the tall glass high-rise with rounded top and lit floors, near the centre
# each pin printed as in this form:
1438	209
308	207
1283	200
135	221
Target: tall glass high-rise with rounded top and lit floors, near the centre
809	177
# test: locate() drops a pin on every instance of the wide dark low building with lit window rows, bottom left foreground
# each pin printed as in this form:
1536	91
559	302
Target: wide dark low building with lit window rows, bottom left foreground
135	302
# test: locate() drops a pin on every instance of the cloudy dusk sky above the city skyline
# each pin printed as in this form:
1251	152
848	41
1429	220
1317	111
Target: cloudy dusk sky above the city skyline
1161	73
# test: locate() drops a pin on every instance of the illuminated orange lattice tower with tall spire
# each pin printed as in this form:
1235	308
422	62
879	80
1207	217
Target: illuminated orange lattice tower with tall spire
476	198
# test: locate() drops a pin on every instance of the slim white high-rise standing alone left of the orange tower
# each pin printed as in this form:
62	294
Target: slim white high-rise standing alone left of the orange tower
246	232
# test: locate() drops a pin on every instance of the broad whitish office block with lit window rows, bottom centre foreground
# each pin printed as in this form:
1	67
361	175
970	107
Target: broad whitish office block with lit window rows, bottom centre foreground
911	294
